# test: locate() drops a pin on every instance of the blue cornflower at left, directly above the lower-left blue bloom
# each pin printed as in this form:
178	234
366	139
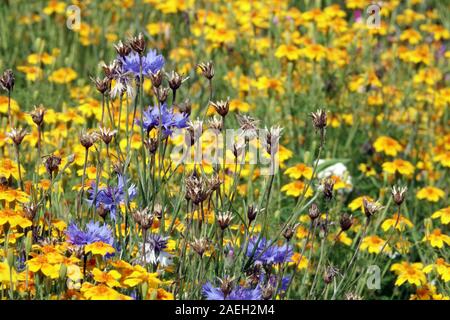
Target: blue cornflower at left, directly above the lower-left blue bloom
110	198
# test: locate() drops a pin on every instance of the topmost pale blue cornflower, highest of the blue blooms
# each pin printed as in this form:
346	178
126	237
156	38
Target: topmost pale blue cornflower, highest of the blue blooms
151	63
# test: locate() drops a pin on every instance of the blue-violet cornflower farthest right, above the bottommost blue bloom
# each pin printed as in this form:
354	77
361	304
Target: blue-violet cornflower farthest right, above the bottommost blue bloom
268	255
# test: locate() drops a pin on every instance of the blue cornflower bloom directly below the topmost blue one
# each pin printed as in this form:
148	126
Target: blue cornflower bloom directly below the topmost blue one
170	120
